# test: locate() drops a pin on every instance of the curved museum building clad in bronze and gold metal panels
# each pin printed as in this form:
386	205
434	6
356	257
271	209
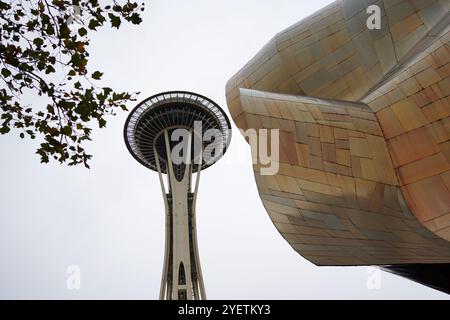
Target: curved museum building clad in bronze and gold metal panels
363	118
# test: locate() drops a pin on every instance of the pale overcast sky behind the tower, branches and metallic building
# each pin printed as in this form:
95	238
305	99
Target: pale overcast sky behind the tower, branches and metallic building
109	220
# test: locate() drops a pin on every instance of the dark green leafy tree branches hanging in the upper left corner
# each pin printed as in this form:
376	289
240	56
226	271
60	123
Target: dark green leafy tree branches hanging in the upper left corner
45	40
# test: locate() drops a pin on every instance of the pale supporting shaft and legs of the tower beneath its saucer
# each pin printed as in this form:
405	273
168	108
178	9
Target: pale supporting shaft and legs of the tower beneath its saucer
182	277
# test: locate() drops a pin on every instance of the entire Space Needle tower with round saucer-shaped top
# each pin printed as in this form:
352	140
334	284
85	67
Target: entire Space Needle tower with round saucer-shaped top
179	134
